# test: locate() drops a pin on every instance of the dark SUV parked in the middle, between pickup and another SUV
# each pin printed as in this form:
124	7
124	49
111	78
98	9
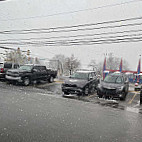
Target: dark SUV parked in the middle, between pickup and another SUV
80	83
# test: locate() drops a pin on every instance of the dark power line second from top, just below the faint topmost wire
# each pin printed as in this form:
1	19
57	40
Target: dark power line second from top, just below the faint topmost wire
74	26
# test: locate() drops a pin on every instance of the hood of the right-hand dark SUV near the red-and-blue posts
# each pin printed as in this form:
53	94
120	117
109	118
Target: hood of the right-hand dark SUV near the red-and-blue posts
110	85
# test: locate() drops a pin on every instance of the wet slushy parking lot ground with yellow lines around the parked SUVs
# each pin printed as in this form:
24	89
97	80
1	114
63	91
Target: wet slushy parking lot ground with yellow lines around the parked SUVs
131	103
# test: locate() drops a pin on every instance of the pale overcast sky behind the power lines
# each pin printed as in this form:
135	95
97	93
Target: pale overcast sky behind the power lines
37	14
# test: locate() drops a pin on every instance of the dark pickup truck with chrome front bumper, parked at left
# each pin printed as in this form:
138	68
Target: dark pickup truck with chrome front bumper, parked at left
30	73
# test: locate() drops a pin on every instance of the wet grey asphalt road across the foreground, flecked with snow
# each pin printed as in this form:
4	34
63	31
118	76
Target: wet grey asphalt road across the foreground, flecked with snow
40	114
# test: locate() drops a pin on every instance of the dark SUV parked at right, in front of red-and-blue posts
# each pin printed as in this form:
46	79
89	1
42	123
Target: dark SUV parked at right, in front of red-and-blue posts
115	85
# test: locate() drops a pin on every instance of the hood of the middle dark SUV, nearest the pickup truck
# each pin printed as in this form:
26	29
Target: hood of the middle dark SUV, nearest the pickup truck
77	82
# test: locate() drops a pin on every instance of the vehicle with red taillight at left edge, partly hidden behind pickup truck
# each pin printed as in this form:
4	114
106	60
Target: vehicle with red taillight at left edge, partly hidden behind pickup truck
5	66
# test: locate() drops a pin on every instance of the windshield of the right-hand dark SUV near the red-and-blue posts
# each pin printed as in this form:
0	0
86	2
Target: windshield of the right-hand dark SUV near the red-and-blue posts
113	79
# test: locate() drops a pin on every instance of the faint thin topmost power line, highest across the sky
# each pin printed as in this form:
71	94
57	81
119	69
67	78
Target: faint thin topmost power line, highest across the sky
71	12
